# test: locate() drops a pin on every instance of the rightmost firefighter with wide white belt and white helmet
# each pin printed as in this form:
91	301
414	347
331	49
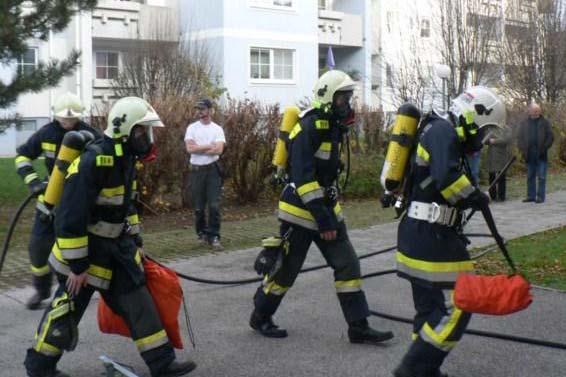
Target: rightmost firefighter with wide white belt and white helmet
431	247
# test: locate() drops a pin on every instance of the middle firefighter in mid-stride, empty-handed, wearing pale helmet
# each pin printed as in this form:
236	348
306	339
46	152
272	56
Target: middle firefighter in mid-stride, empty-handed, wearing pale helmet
309	211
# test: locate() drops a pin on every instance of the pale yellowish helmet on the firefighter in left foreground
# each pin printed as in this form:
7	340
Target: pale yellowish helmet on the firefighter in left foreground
128	112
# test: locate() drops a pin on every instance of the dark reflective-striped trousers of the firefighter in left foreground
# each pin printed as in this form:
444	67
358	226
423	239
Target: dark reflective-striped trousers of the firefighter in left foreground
135	307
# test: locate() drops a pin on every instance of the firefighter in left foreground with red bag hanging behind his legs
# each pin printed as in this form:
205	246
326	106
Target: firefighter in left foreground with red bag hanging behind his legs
98	247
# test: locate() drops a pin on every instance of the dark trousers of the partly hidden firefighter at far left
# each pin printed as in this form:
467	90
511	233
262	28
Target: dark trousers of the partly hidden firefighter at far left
39	248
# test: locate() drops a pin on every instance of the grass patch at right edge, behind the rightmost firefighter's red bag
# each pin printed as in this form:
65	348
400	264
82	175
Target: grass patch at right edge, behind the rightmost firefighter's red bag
540	257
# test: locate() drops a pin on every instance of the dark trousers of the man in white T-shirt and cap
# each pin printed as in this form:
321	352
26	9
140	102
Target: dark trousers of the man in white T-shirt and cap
206	187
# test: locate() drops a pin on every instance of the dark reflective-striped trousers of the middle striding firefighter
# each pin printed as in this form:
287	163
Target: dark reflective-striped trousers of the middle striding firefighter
339	254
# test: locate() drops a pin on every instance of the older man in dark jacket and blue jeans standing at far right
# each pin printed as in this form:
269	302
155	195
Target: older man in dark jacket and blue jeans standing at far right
534	139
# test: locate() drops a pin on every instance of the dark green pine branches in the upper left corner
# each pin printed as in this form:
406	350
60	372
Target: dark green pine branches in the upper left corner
22	20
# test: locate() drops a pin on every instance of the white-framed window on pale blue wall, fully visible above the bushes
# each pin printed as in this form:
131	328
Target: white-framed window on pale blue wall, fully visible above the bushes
272	64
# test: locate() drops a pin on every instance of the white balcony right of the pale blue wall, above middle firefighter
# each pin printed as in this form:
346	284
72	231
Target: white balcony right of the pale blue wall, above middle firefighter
339	29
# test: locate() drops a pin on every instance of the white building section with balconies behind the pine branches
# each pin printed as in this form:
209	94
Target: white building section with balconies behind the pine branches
102	36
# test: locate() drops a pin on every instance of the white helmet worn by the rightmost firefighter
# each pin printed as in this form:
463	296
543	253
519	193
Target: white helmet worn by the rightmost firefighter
488	107
